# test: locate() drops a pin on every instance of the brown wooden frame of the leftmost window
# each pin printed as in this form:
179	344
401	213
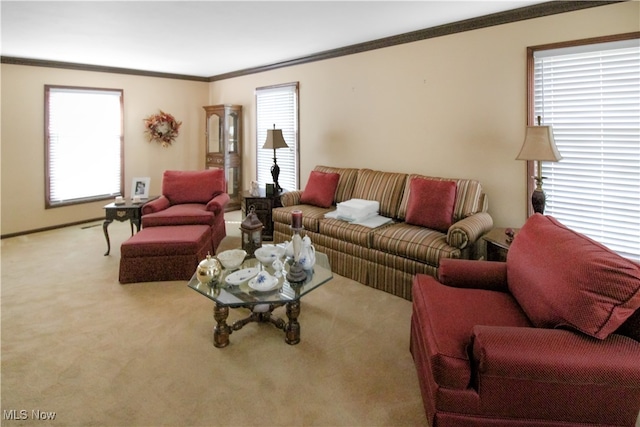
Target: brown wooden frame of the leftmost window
49	203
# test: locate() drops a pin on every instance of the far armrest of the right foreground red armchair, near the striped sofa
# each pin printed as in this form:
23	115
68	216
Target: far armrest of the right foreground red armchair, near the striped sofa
464	273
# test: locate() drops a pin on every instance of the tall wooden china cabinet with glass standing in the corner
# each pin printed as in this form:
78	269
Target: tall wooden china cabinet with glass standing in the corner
224	147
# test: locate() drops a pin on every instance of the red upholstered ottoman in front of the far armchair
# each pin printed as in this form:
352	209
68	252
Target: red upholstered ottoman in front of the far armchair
164	253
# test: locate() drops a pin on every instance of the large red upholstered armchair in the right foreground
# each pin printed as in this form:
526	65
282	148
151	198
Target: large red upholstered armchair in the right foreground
551	337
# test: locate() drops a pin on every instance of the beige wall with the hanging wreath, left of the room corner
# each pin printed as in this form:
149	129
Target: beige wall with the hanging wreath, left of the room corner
22	142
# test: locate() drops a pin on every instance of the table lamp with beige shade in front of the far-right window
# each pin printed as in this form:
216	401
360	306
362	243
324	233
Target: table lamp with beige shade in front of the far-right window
539	145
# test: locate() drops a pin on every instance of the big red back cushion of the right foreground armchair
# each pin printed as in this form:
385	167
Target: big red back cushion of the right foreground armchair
573	283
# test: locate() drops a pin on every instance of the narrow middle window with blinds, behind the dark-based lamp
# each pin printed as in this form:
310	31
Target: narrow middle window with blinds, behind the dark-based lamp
278	105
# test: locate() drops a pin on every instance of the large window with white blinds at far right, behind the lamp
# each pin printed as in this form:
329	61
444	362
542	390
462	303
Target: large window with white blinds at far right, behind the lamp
590	94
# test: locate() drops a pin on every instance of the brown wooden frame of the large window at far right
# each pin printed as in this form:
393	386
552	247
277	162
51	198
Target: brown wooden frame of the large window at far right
531	51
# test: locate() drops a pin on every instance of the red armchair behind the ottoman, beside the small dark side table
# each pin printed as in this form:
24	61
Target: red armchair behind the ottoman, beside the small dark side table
190	198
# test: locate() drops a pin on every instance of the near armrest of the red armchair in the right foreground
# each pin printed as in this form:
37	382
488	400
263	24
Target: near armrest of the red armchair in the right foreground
559	373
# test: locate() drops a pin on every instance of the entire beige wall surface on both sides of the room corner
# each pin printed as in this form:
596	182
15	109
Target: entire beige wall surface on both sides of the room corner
452	106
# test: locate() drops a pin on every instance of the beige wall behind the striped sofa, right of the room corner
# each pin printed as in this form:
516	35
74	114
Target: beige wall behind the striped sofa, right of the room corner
452	106
